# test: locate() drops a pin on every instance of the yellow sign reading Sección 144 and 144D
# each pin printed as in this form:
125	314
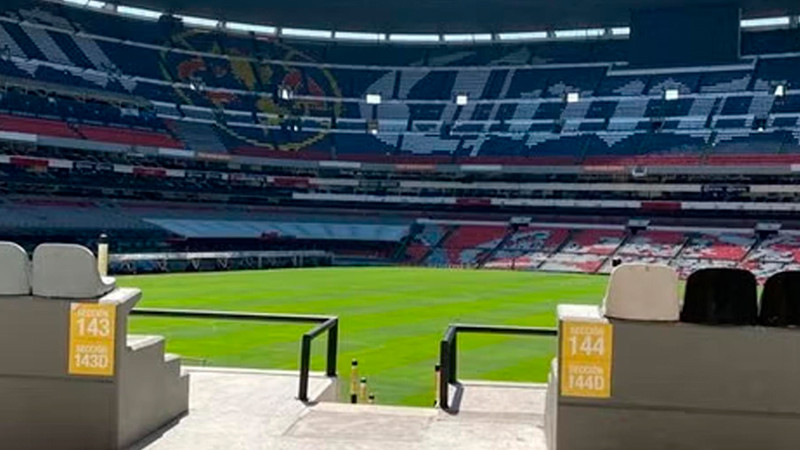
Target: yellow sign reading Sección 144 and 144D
586	359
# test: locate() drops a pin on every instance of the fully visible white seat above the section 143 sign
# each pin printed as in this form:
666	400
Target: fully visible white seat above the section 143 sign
67	271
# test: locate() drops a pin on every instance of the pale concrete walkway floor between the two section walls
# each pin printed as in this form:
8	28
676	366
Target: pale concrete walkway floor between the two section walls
244	409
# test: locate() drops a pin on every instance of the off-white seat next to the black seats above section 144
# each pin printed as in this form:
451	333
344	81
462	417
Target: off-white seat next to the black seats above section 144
647	292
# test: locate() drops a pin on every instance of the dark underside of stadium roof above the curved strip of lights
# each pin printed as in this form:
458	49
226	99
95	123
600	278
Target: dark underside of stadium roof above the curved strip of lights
442	16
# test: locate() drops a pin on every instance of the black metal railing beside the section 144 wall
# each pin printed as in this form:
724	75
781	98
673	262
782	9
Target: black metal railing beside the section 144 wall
448	350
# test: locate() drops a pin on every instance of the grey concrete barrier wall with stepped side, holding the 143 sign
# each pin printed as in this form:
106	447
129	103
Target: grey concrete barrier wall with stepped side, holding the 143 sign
42	406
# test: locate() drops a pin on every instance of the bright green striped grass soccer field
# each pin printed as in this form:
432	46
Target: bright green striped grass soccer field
391	320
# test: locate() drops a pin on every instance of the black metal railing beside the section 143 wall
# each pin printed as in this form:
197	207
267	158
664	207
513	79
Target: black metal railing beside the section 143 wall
325	323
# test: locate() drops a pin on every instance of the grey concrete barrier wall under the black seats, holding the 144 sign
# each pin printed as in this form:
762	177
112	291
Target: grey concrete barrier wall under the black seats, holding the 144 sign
679	385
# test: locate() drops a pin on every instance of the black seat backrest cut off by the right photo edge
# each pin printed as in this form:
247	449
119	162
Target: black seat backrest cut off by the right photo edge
780	300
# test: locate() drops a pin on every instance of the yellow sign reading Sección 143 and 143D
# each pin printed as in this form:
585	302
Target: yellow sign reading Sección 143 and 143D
91	339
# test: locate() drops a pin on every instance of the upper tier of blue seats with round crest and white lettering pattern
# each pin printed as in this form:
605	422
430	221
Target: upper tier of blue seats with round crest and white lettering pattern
231	80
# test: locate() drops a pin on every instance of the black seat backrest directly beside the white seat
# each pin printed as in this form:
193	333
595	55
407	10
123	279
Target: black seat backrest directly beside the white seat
721	296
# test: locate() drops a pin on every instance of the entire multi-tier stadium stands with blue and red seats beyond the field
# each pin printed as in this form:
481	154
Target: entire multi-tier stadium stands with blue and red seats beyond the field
531	156
